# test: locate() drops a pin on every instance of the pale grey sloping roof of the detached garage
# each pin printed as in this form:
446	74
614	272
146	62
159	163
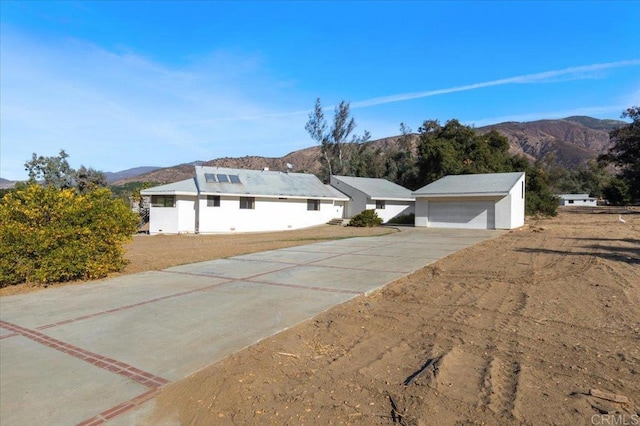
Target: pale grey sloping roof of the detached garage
488	184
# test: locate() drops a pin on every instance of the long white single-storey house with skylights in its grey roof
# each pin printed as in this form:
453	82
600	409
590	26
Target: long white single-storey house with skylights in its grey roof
222	200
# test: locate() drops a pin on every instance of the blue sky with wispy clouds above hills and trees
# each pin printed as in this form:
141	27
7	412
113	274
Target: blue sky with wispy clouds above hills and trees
124	84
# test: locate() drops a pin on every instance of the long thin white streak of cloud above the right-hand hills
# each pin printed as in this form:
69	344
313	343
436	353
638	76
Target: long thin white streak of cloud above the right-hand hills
572	73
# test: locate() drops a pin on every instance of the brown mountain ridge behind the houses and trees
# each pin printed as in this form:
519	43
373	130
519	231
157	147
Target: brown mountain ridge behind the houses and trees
573	140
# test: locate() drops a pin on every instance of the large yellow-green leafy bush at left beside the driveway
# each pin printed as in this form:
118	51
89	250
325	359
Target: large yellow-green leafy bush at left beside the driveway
50	235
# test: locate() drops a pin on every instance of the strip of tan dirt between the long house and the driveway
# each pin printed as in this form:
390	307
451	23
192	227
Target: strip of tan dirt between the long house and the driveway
148	253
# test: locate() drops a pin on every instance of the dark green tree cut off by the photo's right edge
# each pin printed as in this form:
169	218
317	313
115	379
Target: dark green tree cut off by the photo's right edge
625	152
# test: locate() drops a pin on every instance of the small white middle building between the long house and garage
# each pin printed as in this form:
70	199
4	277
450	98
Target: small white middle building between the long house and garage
386	198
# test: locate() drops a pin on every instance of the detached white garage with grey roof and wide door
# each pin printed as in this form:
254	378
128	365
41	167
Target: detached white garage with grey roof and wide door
479	201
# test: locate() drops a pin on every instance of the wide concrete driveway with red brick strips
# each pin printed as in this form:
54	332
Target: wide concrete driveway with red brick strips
96	353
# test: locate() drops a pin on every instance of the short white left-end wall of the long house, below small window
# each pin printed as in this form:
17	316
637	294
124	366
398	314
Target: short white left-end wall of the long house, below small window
173	220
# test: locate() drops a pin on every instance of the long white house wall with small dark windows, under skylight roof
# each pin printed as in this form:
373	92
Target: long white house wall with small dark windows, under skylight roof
269	214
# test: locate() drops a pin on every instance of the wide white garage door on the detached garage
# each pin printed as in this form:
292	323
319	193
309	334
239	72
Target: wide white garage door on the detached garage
462	214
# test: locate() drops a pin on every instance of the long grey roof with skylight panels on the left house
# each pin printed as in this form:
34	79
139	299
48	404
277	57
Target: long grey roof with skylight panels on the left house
262	183
